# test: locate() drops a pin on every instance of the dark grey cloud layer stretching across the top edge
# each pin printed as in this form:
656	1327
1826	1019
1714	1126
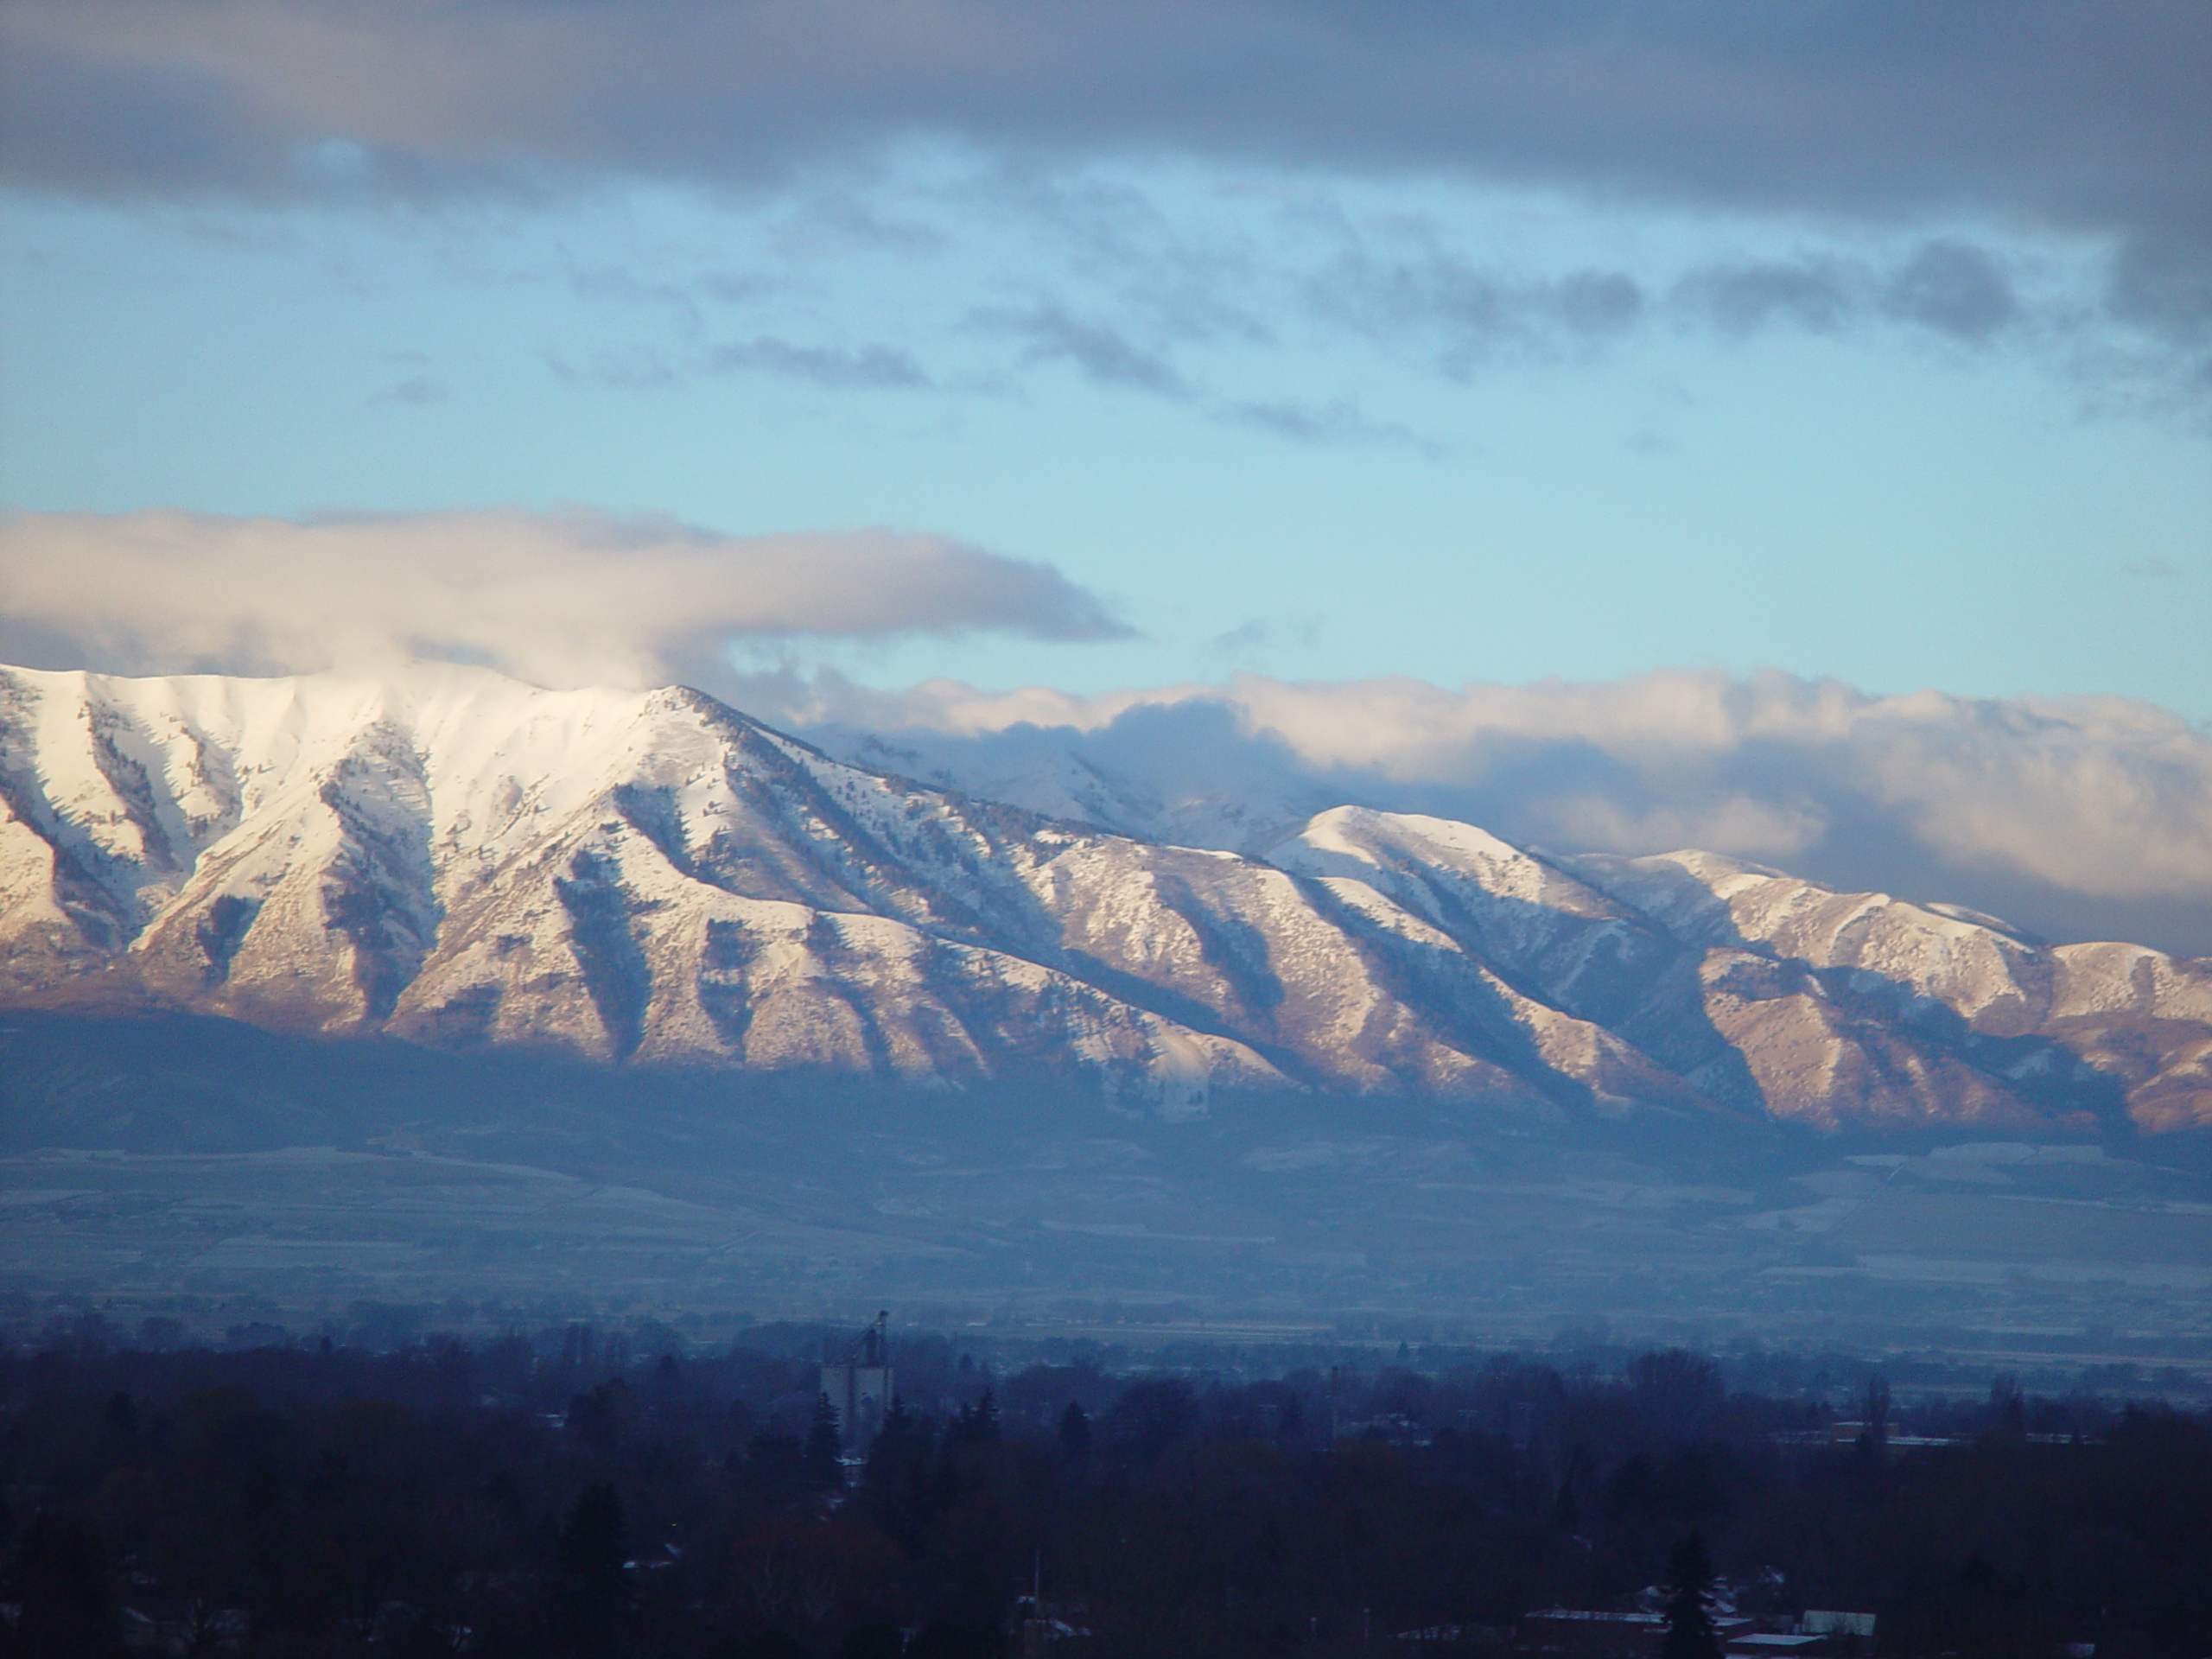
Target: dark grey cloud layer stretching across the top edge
2041	112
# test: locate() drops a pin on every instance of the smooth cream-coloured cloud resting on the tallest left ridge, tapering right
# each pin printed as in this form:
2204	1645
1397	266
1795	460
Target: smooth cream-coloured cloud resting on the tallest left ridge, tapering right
559	598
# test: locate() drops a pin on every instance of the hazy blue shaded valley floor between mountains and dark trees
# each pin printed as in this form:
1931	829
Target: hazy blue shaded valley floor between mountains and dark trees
401	1182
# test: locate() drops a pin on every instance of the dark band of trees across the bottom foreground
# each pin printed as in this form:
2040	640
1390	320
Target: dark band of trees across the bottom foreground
581	1496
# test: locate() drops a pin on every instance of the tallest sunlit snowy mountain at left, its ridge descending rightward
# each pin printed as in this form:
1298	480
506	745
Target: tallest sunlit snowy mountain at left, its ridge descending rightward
461	859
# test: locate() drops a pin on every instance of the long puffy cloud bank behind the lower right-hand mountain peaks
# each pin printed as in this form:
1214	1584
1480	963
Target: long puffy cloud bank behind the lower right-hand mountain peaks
2076	817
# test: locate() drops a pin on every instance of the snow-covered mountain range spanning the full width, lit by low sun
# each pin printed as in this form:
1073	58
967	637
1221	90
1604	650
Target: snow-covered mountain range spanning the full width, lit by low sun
651	877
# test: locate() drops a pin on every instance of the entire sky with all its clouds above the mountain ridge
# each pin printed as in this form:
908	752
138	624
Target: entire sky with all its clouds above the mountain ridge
948	366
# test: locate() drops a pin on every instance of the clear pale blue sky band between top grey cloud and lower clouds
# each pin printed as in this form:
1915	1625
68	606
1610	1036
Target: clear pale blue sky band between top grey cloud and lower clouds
1264	413
